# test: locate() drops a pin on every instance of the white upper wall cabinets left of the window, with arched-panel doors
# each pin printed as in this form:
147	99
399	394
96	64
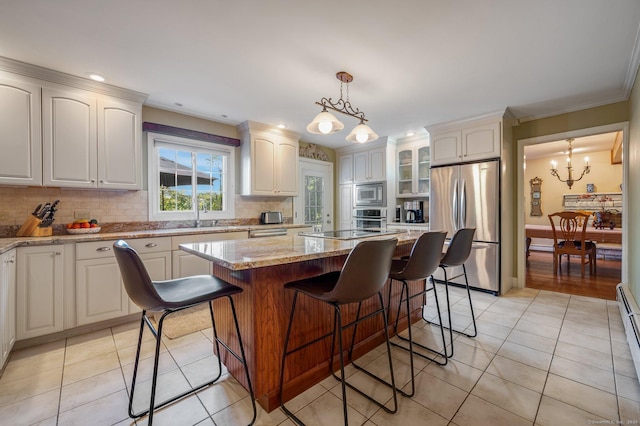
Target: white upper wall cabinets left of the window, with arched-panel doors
74	134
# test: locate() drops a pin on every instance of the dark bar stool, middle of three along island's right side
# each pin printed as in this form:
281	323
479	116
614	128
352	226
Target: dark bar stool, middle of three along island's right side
419	265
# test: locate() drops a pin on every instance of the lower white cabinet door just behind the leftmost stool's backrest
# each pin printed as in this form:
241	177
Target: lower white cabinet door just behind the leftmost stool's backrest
100	294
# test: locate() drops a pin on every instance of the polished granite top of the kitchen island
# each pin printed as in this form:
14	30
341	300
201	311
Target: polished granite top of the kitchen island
255	253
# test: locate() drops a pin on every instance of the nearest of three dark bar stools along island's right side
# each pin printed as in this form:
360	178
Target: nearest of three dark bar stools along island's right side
363	275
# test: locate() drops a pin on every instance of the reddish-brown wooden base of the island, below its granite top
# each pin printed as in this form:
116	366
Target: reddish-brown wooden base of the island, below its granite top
263	311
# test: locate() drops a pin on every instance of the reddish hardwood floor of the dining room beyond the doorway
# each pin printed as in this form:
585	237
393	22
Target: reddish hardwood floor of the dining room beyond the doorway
539	275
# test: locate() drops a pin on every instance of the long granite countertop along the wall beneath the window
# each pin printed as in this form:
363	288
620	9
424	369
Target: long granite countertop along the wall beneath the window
7	244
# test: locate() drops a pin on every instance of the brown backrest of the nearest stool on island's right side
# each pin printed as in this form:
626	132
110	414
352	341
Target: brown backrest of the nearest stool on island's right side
365	271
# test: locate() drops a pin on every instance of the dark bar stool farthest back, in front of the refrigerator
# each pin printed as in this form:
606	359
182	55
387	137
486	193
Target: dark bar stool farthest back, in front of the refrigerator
456	255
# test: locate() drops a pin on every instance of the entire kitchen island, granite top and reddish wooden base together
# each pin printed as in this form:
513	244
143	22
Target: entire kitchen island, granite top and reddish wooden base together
261	268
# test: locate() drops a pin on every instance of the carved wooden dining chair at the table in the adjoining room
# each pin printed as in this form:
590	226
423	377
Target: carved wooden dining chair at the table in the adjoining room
569	238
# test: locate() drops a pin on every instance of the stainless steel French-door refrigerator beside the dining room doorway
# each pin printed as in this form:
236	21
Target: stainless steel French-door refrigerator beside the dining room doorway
468	196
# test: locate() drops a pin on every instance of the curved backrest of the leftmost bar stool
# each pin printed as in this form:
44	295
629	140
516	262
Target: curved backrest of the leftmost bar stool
136	278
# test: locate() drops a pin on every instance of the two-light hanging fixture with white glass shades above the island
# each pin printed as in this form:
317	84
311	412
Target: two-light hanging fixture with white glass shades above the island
326	123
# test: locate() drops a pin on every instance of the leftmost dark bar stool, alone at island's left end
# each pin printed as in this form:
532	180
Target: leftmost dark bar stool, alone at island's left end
168	297
